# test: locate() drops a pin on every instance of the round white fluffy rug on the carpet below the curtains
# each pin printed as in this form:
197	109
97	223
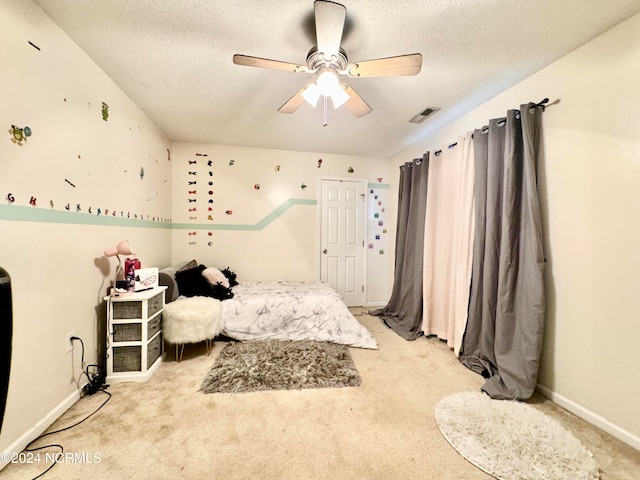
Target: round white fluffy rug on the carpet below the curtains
512	440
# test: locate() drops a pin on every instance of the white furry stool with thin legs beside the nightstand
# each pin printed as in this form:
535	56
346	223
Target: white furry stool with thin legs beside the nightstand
191	320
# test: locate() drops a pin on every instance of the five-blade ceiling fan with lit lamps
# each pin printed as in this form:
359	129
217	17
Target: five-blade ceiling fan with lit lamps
327	60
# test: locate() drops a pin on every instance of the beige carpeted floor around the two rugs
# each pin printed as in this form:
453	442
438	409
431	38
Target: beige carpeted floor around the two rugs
383	429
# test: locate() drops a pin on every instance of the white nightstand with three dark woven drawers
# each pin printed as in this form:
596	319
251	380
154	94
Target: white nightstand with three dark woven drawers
134	335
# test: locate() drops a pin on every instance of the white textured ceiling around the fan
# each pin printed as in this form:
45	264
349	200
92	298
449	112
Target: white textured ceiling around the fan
174	60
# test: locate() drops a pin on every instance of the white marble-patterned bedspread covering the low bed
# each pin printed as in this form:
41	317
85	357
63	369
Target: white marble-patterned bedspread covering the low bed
292	311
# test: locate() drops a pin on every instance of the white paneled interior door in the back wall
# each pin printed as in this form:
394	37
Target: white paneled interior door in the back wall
342	250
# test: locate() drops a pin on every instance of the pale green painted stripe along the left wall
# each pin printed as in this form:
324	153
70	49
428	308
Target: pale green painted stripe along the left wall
34	214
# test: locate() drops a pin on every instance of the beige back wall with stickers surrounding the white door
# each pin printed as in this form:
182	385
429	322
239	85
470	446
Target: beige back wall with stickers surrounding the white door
272	233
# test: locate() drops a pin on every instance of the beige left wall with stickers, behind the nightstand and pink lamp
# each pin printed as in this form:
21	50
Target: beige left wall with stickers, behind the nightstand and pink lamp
54	256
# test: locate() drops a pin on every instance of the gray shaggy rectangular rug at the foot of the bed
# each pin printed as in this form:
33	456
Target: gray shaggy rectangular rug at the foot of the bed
280	365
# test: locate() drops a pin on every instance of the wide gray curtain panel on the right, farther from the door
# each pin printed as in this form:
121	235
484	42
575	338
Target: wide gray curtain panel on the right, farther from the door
505	325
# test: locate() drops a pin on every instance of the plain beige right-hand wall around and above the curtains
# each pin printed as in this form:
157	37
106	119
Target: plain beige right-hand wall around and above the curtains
590	189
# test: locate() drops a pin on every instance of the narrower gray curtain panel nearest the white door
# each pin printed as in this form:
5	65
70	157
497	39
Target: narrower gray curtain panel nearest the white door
403	313
